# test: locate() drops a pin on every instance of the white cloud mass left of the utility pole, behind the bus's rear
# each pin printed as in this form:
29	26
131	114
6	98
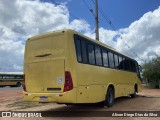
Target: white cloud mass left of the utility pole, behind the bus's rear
21	19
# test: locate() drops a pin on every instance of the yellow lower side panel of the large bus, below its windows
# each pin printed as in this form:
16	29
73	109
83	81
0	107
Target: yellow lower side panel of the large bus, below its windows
93	83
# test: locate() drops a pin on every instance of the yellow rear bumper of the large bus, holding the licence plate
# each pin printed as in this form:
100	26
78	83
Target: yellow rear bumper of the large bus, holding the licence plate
65	97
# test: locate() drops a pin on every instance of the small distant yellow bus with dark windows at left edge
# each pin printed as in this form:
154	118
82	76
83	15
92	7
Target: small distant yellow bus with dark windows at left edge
12	80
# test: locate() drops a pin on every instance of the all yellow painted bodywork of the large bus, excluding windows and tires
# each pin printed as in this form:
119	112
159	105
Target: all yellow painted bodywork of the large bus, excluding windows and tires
90	82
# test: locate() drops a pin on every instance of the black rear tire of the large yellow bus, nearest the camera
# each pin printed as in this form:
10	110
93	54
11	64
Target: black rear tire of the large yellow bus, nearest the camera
109	99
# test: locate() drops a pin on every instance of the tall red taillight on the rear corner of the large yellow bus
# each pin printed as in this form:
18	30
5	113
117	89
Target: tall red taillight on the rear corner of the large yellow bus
68	85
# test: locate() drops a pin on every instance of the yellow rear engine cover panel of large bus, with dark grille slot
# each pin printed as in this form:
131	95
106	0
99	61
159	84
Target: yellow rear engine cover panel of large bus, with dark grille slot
46	76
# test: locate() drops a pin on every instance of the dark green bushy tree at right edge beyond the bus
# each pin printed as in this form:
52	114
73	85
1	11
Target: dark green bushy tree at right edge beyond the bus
152	70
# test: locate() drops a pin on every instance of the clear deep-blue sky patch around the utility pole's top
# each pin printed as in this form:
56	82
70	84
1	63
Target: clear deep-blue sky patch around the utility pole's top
121	12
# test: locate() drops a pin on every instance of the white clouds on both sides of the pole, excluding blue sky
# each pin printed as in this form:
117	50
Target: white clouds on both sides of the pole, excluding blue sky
21	19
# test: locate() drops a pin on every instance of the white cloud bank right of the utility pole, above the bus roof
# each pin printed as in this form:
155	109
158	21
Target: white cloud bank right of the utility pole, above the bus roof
141	40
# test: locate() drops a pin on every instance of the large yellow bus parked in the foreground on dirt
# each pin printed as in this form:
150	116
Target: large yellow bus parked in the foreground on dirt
68	67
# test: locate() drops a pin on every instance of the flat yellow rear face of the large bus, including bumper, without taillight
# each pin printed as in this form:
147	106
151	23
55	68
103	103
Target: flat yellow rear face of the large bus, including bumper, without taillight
46	60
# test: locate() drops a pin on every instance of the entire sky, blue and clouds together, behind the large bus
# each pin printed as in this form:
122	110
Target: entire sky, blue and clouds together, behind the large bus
136	26
